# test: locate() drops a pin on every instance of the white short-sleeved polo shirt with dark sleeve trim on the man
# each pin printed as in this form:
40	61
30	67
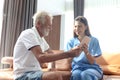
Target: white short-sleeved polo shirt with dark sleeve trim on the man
24	59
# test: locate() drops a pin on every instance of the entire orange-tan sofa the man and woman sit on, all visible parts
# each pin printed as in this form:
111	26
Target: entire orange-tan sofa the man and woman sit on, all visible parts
109	62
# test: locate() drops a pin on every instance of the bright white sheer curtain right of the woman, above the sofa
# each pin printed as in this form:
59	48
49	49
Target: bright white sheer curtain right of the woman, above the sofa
103	17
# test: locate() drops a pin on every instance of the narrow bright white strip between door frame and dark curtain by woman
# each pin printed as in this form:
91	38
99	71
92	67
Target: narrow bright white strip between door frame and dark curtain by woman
69	19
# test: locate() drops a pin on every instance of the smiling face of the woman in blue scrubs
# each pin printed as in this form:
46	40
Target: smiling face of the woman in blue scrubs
79	28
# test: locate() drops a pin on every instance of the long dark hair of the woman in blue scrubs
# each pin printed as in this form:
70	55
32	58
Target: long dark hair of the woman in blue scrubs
85	22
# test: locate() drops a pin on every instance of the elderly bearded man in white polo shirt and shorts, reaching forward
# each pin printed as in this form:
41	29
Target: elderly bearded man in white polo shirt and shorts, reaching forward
31	50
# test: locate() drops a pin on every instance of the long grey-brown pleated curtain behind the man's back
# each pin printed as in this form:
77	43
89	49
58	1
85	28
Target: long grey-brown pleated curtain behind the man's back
17	16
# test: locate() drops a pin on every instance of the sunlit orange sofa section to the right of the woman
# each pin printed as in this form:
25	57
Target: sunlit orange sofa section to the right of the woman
110	64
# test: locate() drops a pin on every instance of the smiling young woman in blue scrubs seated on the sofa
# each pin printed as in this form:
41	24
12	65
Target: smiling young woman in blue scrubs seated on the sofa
84	67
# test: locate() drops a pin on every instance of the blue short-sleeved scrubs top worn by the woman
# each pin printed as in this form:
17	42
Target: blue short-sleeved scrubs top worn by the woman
81	62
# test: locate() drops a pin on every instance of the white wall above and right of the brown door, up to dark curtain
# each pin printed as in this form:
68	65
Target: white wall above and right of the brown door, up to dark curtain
63	8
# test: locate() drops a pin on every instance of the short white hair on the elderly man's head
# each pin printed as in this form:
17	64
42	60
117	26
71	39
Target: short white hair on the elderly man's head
41	16
